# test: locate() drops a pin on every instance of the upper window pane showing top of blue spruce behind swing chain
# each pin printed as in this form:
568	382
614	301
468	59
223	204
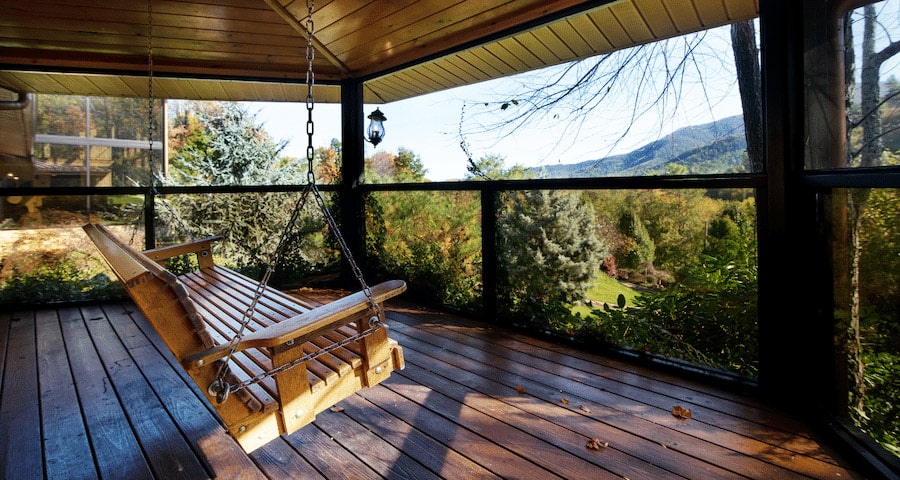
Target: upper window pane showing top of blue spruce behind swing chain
250	143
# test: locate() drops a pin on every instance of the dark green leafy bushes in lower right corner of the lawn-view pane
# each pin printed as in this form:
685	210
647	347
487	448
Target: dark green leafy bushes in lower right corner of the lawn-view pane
708	317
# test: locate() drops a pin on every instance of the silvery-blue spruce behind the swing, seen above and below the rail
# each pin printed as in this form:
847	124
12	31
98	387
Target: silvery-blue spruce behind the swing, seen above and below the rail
222	144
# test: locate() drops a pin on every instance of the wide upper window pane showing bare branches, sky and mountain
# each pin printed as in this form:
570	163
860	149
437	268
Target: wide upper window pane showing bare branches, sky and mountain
667	108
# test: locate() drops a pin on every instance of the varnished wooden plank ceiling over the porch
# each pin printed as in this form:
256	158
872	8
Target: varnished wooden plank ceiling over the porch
256	49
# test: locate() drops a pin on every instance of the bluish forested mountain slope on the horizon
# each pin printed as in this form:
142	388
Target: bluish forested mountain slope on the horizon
716	147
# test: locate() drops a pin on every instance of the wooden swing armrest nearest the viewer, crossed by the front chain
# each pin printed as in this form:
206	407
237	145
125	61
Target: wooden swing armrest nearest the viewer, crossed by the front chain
304	327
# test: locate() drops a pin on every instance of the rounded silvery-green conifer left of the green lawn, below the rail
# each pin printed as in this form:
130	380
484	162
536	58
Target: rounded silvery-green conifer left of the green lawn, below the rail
549	252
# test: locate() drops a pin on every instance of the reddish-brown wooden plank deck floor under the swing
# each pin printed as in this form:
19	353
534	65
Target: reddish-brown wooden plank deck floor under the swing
91	392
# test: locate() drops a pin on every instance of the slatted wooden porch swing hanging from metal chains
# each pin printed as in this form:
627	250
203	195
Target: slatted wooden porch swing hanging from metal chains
266	361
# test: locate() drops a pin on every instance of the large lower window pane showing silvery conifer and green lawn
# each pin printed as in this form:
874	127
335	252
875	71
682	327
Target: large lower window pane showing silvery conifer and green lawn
665	272
